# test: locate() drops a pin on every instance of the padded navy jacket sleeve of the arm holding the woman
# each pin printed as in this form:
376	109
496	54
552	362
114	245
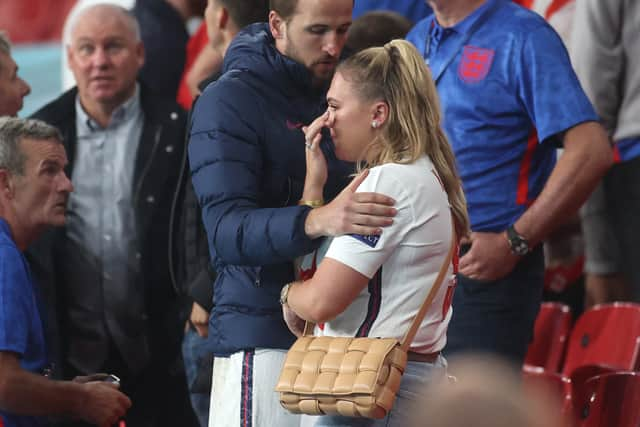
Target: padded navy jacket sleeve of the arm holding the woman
229	187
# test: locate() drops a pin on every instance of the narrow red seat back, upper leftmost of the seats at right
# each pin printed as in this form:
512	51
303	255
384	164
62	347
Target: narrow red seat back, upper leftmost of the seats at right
551	331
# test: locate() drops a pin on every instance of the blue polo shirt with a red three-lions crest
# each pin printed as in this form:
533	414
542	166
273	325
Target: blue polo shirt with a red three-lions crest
507	90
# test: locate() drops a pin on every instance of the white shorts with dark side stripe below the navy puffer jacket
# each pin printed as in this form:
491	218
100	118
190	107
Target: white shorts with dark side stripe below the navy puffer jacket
242	391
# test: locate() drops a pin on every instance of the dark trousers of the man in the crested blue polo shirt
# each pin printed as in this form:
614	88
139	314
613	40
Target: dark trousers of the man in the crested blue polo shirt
497	317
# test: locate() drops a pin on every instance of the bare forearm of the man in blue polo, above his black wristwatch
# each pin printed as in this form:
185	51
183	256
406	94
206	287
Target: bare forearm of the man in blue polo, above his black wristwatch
586	158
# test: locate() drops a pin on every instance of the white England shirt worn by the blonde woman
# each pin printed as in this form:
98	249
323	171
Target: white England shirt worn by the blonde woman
402	262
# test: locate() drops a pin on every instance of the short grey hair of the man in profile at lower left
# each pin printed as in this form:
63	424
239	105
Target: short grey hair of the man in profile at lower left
14	130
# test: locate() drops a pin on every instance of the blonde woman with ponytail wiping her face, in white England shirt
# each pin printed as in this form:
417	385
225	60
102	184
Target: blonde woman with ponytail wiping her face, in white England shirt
383	113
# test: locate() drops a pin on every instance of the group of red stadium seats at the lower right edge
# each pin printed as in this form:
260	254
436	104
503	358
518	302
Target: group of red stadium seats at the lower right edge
590	367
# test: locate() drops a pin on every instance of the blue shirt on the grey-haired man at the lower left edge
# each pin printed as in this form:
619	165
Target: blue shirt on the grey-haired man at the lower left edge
21	330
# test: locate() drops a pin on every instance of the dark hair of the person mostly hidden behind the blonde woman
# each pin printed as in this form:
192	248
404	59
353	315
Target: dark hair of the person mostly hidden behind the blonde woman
376	28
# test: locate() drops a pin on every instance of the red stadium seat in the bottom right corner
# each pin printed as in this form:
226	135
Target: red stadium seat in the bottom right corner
613	400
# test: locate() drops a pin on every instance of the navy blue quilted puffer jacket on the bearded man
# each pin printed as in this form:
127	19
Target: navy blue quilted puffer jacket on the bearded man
246	152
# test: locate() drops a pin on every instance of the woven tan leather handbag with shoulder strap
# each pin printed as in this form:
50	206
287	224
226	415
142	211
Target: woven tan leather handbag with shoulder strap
353	377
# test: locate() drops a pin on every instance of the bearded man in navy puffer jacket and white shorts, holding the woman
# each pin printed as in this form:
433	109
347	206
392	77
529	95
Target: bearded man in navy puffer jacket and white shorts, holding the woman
247	159
